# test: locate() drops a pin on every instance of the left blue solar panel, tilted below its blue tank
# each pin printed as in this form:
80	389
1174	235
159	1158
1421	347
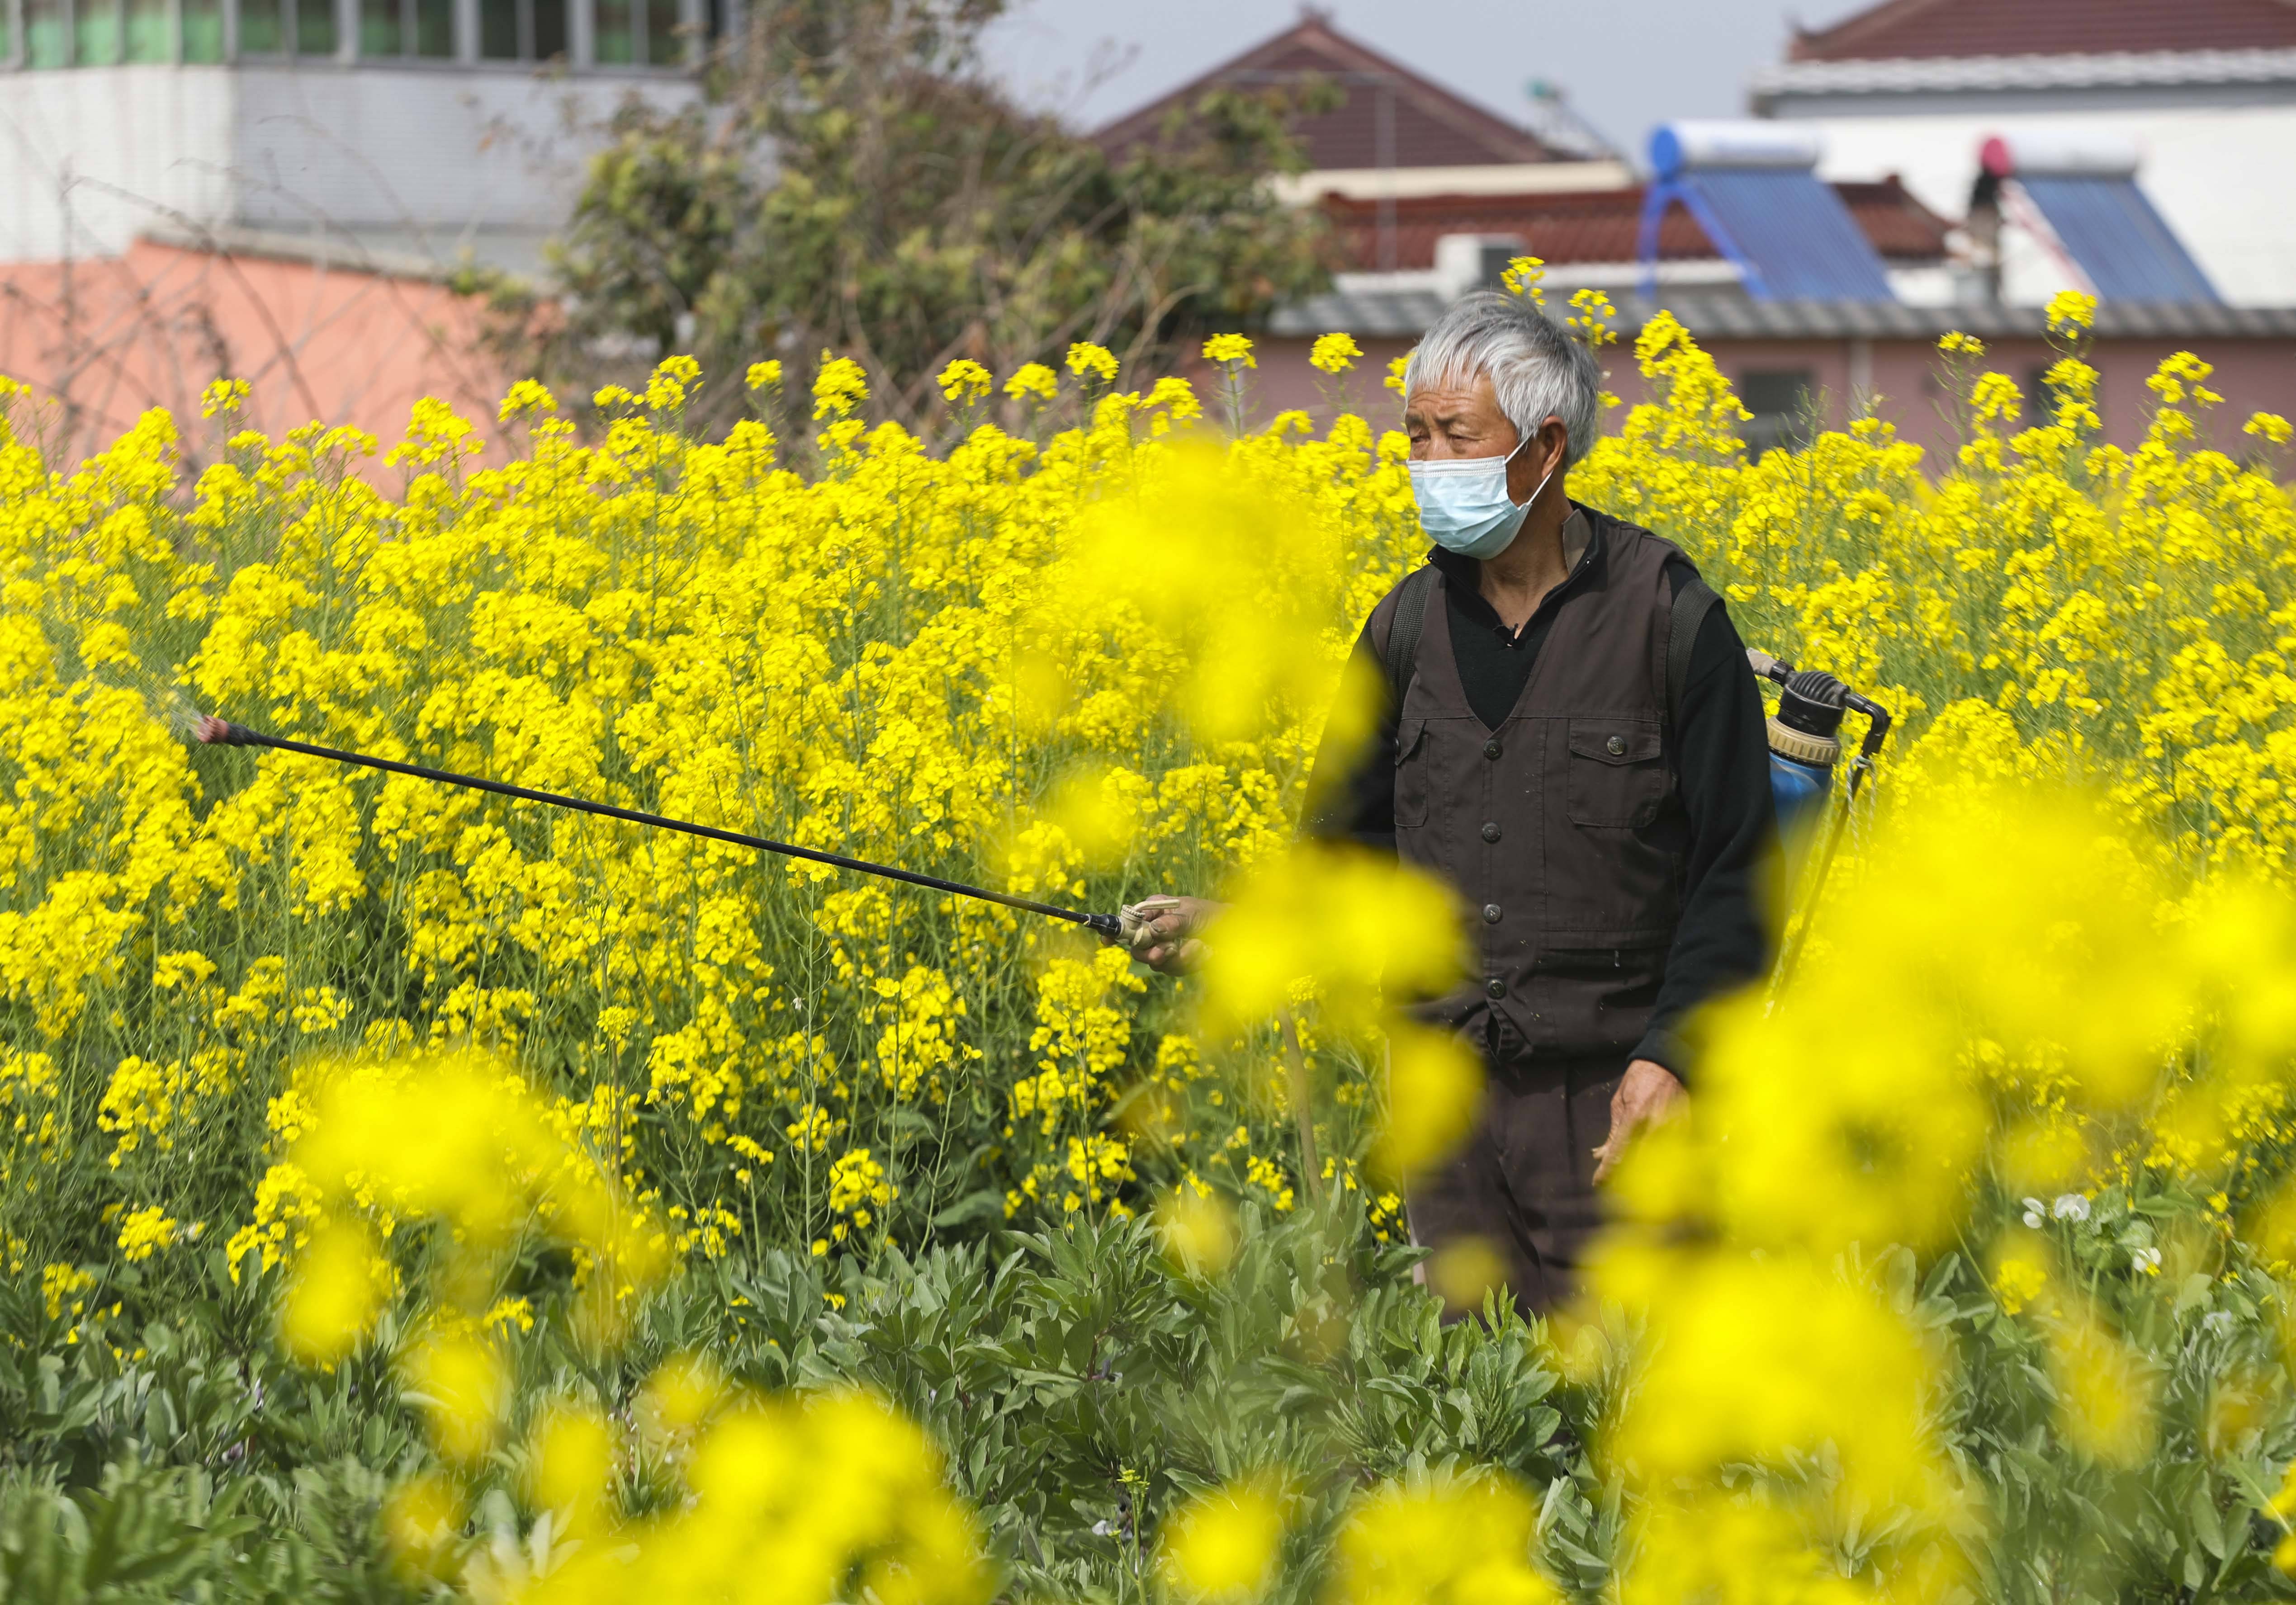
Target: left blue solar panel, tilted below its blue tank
1787	231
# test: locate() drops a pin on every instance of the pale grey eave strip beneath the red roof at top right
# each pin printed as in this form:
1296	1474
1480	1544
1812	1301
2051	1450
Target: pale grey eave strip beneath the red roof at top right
2113	70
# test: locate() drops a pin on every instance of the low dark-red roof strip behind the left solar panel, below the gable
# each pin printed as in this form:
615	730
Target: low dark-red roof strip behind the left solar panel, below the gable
1604	226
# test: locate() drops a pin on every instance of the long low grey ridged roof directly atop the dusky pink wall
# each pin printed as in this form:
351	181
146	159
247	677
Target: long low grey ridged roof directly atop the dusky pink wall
1723	316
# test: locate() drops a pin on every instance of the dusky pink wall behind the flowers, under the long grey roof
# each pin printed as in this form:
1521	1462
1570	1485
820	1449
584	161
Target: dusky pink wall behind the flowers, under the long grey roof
1909	375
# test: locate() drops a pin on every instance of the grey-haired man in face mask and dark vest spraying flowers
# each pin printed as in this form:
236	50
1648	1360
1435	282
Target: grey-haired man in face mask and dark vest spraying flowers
1574	743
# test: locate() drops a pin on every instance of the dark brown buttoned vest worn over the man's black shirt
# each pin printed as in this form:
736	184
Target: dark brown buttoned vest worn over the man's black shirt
1562	830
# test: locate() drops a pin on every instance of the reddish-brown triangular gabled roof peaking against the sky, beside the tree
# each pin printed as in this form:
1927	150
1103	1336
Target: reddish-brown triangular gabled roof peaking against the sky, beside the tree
1429	125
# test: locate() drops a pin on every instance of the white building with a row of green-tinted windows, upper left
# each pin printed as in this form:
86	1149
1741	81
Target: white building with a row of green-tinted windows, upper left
389	130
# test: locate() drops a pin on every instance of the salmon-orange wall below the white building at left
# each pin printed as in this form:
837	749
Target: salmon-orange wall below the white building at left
111	339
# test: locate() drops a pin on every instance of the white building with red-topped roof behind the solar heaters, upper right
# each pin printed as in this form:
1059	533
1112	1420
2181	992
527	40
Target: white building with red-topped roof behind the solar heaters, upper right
2203	93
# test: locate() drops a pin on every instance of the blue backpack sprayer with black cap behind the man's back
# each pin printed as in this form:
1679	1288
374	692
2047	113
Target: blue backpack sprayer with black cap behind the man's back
1806	745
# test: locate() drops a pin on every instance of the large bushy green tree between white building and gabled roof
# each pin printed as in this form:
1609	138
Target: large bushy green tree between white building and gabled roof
855	183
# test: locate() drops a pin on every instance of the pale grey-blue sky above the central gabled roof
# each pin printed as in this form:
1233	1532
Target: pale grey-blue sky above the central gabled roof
1627	65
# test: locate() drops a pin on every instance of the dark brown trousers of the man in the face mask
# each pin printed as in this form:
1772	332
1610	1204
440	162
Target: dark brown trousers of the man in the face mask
1523	1184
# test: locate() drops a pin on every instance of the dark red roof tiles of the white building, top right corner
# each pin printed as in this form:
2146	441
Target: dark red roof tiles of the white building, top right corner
1960	29
